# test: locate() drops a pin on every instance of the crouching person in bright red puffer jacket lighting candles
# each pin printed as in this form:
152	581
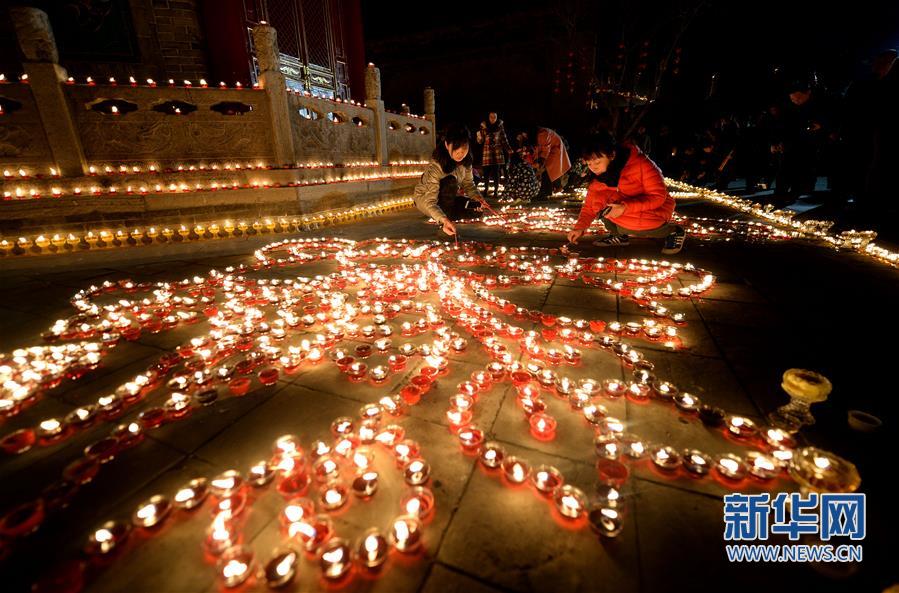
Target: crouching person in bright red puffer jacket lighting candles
629	192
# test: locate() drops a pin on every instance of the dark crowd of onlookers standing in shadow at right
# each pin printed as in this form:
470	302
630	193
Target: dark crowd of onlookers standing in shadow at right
804	134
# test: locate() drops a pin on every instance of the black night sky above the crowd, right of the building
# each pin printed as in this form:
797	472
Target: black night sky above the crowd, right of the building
493	55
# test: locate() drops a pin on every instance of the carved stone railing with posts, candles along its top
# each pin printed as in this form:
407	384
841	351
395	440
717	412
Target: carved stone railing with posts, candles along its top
51	125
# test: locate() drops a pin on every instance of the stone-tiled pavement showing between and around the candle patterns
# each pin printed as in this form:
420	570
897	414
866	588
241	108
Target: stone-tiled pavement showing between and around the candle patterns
775	306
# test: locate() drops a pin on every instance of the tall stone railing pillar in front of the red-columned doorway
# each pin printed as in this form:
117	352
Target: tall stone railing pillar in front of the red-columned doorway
265	40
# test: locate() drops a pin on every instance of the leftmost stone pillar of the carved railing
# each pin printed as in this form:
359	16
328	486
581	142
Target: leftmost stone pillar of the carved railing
46	76
